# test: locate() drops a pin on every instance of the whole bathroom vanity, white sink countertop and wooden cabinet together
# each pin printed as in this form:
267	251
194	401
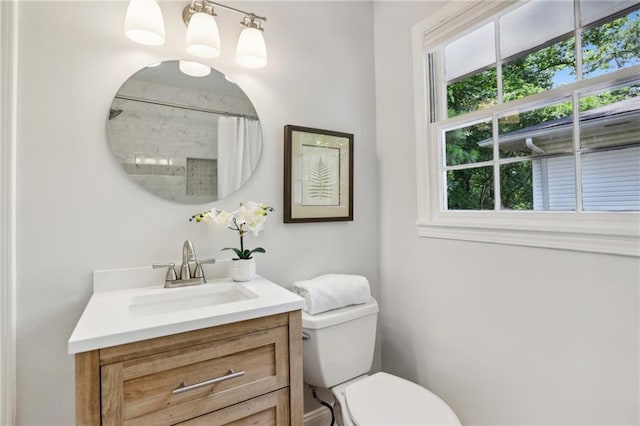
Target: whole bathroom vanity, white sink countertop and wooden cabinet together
215	354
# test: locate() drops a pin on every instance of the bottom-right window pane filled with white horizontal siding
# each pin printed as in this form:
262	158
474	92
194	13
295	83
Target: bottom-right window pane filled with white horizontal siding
611	180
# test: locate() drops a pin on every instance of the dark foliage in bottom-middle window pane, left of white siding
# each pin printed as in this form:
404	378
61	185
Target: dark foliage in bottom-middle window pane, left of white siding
516	186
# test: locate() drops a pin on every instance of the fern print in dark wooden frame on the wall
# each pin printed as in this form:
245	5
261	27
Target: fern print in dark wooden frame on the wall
318	175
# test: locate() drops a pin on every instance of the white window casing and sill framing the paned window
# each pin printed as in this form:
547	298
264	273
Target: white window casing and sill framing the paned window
598	232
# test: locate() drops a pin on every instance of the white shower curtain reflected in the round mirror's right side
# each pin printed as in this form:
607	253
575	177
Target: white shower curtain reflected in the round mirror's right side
239	144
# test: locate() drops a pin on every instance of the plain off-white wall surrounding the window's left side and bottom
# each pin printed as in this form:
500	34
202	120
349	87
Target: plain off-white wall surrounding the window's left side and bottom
506	335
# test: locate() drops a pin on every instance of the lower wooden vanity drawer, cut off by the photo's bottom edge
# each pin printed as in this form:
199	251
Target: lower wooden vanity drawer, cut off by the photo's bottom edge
271	409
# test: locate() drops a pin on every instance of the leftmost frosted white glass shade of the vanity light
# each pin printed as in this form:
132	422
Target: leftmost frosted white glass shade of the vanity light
144	23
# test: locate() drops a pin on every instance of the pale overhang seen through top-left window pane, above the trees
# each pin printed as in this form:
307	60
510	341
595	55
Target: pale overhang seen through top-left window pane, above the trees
470	53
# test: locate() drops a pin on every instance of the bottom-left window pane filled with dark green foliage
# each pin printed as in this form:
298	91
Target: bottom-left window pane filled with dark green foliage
470	189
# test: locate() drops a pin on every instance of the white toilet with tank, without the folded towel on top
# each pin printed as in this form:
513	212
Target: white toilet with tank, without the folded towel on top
338	353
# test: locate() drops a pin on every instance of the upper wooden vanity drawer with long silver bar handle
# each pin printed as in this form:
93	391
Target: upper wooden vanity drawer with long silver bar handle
142	391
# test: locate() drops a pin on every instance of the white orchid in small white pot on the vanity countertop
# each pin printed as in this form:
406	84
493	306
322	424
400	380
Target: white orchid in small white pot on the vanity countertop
250	217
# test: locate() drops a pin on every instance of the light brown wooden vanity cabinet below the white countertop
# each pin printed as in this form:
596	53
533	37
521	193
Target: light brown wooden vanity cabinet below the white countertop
244	373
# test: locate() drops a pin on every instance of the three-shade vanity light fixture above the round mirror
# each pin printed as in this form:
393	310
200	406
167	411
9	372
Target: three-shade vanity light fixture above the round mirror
144	24
